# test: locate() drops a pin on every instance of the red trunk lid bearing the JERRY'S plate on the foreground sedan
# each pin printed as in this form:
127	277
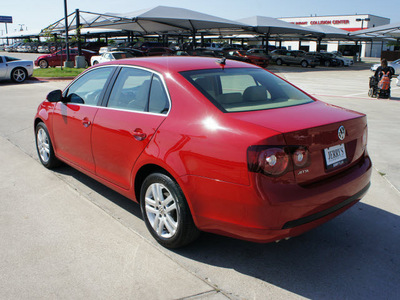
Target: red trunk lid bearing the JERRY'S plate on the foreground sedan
316	126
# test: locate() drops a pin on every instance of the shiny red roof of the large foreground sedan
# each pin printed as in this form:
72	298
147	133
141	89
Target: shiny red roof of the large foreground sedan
164	64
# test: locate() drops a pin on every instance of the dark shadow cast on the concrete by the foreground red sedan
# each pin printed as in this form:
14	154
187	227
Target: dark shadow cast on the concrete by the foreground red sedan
354	256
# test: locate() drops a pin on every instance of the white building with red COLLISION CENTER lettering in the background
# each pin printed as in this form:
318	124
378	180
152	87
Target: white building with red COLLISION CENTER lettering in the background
350	23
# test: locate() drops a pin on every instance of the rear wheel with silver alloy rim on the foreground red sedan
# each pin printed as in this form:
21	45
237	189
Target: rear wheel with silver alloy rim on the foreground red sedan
165	212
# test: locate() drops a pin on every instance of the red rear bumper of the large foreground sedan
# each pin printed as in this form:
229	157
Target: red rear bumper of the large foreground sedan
267	211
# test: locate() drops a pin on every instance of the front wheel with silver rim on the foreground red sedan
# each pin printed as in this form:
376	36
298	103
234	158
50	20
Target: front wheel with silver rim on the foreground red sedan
44	147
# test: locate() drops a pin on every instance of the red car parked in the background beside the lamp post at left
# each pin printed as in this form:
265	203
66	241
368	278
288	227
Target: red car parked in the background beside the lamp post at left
58	58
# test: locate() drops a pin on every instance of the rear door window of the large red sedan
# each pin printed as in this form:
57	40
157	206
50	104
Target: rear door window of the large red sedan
131	90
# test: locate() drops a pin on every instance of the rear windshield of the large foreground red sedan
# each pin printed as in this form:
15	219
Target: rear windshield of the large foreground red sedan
245	89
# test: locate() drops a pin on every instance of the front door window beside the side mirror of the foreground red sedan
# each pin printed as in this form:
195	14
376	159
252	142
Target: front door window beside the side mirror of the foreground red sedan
87	89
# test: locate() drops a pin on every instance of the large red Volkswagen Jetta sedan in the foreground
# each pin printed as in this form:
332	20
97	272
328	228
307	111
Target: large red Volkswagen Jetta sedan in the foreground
205	144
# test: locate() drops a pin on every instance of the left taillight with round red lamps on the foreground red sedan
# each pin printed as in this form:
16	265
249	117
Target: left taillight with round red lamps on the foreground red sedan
277	160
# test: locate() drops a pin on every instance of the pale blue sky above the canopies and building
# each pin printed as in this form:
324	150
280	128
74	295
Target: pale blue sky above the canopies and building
36	15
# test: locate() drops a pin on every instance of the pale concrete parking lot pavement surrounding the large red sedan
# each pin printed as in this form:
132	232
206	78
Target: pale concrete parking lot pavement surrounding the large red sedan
66	236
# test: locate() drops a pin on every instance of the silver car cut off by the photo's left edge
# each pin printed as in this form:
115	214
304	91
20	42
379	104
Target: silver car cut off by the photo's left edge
15	69
